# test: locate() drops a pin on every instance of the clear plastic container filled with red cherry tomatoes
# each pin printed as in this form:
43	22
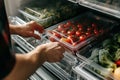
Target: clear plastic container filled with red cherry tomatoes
80	31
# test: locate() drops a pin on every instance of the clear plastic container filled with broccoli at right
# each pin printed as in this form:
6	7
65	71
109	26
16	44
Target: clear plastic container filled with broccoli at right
105	54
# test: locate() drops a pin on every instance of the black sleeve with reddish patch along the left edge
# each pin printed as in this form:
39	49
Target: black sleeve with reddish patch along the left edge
7	59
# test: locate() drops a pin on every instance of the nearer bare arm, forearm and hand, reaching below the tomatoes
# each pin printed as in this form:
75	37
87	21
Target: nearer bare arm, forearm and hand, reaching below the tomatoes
26	64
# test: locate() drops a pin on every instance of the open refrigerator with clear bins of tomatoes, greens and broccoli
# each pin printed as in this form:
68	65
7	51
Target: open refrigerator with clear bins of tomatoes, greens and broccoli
88	29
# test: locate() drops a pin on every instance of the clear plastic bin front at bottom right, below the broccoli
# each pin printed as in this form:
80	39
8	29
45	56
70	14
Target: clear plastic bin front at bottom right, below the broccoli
91	71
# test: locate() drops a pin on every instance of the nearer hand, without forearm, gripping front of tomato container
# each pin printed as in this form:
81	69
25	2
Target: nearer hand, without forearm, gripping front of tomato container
51	52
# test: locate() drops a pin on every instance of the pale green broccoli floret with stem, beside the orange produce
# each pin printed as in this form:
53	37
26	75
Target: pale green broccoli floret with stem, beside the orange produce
104	59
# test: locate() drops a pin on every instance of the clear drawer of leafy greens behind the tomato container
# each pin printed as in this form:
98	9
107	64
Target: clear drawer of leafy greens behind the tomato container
49	14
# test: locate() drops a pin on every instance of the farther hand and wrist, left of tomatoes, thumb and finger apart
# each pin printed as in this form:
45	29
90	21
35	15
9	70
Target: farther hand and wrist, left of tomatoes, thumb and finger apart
27	30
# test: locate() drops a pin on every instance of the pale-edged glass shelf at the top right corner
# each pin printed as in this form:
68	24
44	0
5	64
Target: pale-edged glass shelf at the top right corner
110	7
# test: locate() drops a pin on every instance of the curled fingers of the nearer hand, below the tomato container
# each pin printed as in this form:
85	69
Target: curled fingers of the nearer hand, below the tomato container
54	51
